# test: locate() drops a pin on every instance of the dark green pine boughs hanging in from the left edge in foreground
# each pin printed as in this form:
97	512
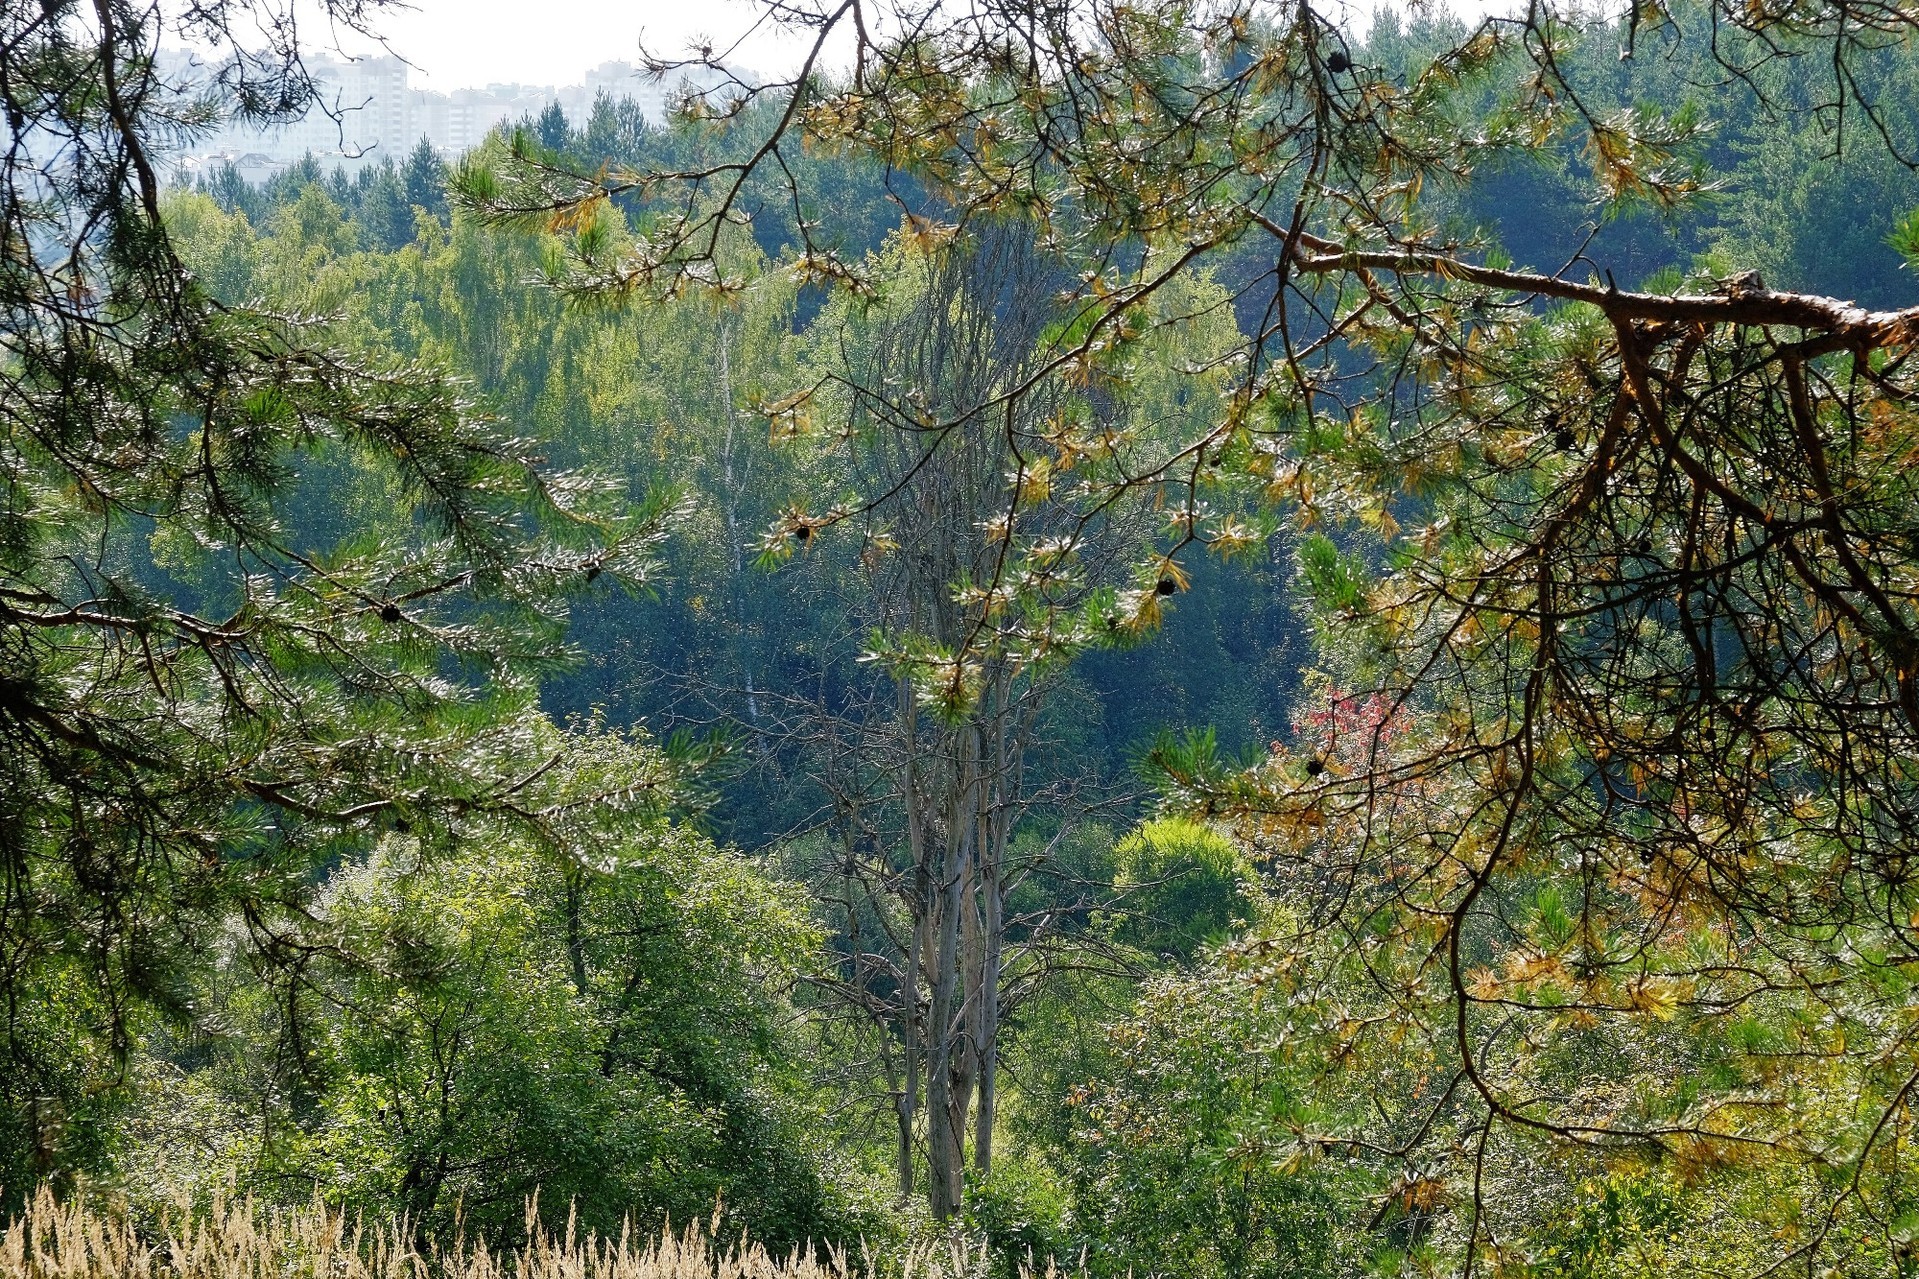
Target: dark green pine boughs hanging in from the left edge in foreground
208	694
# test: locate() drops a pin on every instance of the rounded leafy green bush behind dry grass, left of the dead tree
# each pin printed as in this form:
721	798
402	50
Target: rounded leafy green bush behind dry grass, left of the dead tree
481	1025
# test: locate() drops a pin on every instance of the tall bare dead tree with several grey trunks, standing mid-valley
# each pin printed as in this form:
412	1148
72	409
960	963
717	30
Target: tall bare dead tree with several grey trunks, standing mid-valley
932	773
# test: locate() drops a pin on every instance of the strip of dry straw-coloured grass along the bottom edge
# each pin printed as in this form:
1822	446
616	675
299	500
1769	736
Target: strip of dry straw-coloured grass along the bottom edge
243	1242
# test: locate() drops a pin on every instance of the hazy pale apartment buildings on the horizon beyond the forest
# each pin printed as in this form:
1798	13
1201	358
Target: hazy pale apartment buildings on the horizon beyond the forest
367	112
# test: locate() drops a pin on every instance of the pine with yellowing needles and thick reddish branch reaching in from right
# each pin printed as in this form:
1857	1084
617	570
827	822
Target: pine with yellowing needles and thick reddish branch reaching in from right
1621	596
